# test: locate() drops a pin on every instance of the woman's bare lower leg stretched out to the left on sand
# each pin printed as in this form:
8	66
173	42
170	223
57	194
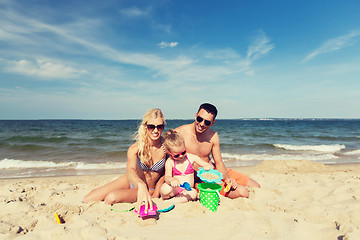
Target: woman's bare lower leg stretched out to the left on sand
100	193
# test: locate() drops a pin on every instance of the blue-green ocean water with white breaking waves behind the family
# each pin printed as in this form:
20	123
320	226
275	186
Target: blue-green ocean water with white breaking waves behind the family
37	148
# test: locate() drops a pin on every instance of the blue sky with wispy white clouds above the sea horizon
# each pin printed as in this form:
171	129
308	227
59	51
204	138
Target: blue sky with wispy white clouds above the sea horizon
116	59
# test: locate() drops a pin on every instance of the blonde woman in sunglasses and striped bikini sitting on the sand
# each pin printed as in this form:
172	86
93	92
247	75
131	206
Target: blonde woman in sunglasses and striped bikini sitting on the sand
145	167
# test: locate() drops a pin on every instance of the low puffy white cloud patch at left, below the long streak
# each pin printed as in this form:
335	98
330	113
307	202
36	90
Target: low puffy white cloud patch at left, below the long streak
43	68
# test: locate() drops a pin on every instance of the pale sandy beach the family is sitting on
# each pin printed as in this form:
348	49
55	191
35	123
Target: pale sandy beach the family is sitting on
298	200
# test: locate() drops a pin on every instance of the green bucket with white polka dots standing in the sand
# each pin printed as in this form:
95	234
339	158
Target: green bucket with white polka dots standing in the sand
209	195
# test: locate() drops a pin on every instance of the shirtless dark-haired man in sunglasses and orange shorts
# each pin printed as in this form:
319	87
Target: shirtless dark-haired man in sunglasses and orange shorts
200	140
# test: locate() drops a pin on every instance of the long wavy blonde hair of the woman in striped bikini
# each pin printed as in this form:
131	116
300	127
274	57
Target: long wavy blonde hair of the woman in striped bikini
141	135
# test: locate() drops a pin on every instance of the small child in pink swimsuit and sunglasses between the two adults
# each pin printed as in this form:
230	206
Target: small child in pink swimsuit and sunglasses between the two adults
179	169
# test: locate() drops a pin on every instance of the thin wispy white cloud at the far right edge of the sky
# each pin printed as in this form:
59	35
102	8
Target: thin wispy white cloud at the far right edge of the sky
334	44
